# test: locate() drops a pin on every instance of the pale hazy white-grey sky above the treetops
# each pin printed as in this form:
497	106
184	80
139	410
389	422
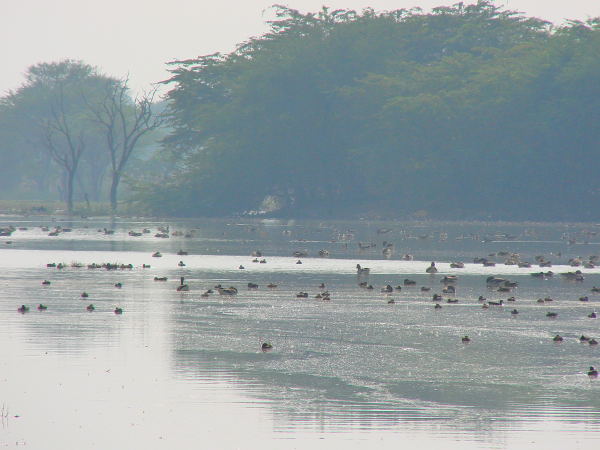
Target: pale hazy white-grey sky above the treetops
137	37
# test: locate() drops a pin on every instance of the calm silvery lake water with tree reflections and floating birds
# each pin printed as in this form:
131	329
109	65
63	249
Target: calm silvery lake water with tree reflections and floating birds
179	370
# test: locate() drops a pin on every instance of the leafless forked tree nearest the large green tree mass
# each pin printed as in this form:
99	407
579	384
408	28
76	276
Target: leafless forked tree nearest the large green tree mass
125	121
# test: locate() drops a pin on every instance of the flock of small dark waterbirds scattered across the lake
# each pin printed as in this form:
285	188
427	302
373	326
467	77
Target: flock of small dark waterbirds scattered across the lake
448	282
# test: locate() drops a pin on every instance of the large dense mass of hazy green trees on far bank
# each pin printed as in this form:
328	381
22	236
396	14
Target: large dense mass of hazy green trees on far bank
469	111
